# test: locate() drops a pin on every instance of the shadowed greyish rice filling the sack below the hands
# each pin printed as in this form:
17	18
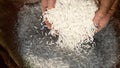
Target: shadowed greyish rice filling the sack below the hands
37	51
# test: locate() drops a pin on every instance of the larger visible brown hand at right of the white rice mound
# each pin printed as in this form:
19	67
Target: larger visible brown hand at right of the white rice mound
104	13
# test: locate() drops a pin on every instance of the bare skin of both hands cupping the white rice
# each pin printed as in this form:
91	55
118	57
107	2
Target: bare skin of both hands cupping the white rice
106	9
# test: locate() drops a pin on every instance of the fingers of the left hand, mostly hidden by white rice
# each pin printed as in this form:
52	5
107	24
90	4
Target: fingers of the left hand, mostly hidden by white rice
47	4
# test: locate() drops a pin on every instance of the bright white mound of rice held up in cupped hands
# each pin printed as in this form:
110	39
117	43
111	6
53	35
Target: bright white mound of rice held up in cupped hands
73	21
